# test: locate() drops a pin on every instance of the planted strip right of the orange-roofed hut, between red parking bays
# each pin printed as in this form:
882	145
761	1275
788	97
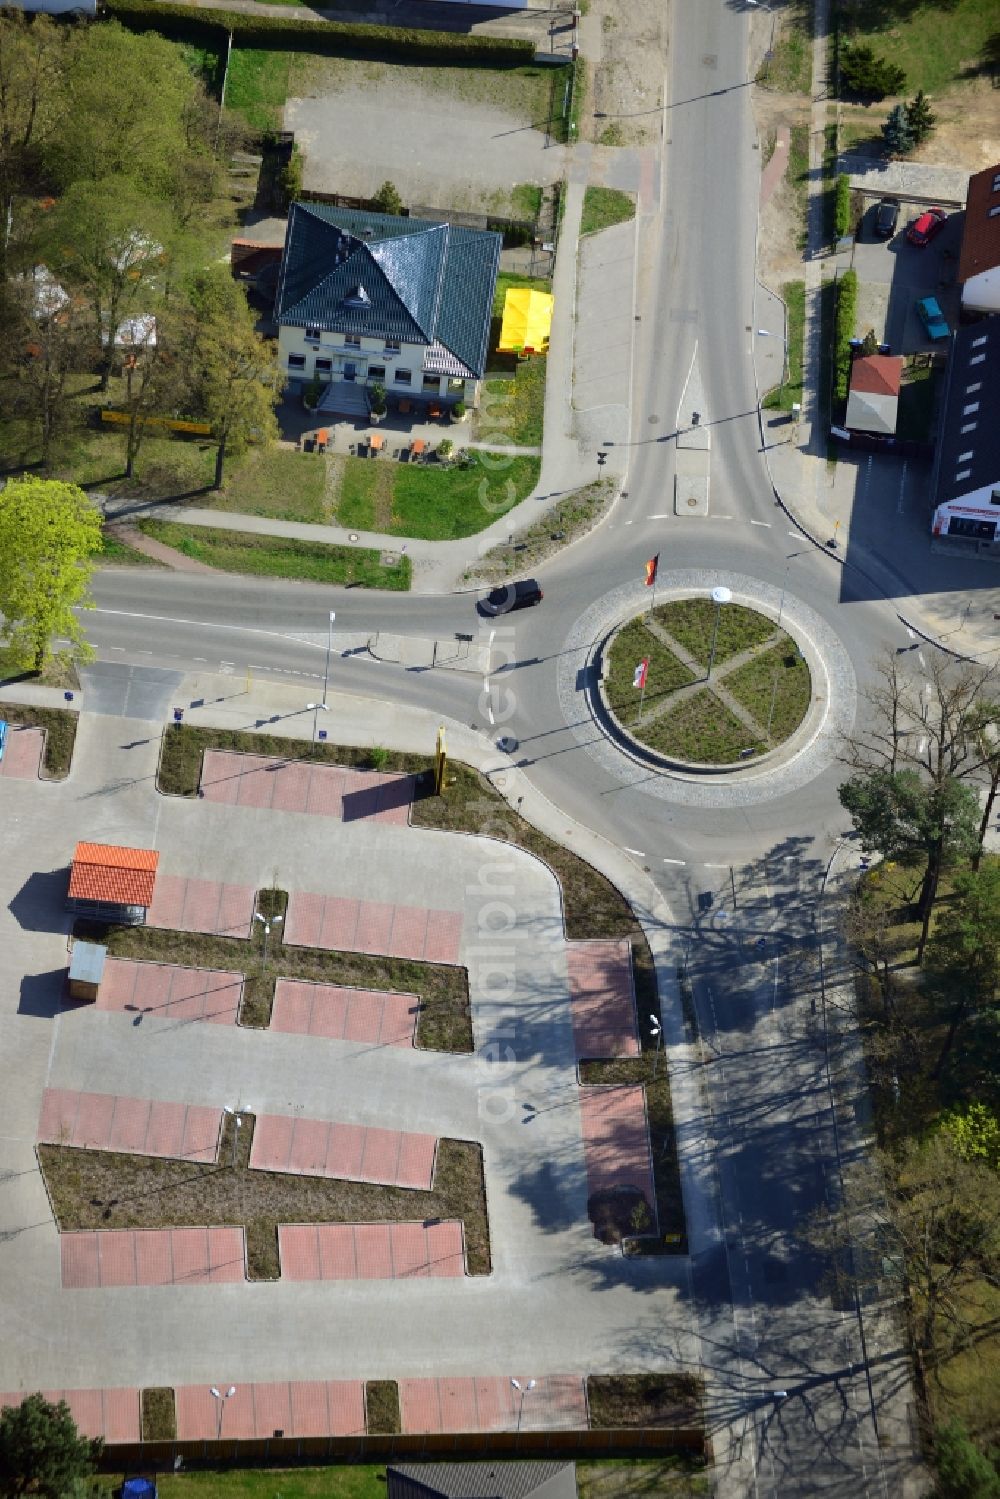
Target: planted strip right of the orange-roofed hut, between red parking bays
445	1022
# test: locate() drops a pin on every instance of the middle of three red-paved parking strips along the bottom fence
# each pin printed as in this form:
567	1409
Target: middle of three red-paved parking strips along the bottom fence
301	1408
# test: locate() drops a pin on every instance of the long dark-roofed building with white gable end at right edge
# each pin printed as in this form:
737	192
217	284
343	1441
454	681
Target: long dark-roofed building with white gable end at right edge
968	464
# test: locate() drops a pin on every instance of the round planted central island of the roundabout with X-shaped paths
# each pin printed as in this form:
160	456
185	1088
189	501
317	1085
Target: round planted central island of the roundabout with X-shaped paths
705	683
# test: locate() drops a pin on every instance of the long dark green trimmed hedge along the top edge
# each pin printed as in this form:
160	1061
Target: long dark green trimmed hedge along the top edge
323	37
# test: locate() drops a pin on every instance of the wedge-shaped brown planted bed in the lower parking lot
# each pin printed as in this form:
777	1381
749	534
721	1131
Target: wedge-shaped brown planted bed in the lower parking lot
103	1189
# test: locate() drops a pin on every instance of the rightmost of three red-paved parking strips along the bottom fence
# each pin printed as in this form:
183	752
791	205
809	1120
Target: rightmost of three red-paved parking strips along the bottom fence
557	1404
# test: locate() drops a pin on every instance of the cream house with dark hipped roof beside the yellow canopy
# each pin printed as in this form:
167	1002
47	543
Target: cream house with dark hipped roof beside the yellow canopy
374	299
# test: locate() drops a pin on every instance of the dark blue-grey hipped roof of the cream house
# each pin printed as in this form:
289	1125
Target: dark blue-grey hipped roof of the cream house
403	280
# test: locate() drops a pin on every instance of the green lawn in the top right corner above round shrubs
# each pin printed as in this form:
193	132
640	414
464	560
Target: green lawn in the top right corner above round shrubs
938	46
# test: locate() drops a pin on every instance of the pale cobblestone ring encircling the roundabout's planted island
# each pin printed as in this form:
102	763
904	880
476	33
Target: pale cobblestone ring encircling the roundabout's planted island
810	750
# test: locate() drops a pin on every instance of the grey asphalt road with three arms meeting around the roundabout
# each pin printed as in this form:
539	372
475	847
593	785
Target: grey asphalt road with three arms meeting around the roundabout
767	1315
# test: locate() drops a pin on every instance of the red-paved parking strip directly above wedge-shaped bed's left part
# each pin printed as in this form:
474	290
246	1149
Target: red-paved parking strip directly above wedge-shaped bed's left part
136	1126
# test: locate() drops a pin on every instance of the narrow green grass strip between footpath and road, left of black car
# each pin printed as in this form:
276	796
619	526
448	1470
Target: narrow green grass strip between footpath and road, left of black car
280	557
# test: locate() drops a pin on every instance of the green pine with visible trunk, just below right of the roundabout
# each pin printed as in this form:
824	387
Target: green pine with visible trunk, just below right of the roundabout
900	815
